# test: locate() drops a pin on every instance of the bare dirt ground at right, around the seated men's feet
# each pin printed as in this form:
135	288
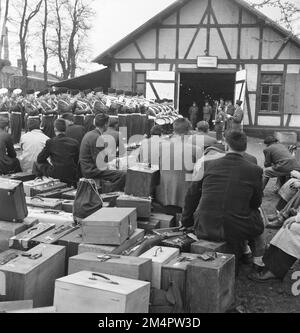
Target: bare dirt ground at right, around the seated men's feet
273	297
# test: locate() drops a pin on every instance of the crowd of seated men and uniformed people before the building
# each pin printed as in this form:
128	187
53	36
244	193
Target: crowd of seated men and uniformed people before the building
219	193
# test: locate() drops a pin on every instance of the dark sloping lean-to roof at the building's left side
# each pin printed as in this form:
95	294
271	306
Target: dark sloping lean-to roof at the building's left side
88	81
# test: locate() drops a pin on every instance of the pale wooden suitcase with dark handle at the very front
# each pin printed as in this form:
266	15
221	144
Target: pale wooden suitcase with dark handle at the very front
87	292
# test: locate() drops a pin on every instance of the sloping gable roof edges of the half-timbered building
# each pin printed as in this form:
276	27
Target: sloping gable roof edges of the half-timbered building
105	56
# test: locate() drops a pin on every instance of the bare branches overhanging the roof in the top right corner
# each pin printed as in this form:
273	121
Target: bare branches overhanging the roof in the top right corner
290	11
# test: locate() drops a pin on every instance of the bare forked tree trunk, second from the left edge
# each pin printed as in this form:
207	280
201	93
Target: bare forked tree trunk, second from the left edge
27	16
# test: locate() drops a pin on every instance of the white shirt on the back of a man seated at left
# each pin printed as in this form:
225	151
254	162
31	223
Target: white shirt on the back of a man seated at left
32	143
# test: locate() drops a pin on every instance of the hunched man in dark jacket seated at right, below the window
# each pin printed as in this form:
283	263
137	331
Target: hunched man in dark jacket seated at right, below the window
279	162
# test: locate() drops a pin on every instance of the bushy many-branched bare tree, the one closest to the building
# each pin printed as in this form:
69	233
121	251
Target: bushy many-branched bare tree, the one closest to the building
71	22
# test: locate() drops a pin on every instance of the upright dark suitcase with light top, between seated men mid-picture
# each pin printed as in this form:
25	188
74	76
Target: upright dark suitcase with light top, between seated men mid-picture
141	181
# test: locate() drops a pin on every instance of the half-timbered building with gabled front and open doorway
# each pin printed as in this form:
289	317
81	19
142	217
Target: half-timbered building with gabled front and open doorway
197	49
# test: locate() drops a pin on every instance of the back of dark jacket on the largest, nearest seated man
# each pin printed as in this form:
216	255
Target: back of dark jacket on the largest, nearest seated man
231	191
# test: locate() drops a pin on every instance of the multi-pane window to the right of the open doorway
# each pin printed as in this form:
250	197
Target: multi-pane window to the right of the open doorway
271	93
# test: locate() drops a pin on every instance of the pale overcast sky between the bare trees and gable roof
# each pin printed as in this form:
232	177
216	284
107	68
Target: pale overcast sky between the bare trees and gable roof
114	20
